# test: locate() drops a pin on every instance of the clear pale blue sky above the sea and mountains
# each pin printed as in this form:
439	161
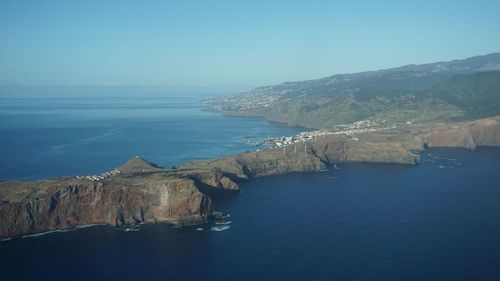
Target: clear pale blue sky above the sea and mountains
232	43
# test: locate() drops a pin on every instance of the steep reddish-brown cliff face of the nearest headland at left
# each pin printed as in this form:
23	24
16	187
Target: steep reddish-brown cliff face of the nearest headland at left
39	206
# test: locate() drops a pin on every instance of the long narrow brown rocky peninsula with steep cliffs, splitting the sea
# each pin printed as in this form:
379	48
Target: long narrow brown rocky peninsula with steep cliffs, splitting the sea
141	192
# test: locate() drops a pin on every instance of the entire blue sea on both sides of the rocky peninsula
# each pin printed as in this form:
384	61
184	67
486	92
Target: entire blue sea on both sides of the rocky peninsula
439	220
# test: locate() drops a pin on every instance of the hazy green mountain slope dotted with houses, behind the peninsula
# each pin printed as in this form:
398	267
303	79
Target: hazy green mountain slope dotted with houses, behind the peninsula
444	91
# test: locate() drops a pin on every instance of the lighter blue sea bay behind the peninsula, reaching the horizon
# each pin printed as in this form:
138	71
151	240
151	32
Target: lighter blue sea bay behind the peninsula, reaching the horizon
68	131
